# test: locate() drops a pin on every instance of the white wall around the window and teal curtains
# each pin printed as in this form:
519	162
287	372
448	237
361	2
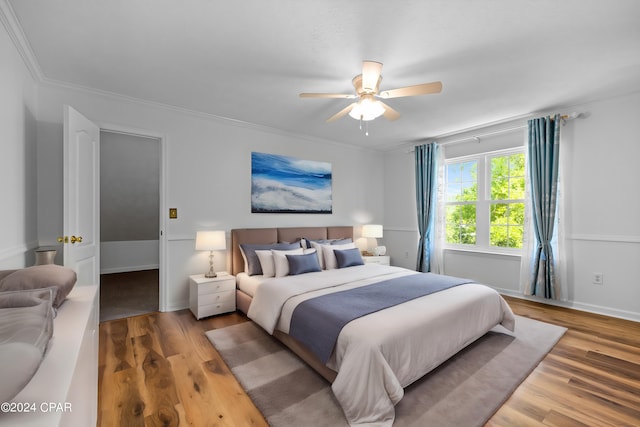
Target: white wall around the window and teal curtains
601	218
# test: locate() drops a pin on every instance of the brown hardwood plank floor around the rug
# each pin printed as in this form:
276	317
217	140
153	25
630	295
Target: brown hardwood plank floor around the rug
160	370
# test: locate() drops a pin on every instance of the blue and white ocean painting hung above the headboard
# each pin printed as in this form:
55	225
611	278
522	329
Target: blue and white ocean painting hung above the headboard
281	184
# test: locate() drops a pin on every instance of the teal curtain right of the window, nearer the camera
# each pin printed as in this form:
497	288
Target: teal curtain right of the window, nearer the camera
543	154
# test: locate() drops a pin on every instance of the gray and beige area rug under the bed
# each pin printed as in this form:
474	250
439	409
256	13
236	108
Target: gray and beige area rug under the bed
464	391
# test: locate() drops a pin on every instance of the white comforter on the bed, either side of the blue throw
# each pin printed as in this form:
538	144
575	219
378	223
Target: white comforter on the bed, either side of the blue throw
379	354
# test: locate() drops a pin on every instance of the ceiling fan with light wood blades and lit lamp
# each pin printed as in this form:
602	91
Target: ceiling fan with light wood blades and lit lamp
367	86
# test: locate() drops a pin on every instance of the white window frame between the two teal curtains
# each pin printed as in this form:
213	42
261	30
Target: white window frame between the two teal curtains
483	202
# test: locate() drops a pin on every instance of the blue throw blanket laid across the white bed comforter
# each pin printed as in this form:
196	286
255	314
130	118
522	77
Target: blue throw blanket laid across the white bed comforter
317	322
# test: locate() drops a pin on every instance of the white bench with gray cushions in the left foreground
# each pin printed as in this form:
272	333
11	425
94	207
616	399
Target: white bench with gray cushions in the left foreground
48	348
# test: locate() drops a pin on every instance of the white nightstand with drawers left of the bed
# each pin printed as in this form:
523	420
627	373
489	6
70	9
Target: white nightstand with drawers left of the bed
211	296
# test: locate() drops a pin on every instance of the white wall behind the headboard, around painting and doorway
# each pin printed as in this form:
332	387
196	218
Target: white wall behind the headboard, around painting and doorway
207	171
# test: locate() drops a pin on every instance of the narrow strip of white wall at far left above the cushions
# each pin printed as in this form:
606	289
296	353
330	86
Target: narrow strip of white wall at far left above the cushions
18	192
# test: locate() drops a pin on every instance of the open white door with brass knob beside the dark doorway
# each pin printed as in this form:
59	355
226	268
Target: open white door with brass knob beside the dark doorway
81	207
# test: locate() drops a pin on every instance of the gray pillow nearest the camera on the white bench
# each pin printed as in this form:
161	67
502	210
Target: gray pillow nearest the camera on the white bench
26	326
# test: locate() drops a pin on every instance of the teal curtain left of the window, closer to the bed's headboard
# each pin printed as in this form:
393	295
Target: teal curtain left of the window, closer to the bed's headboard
426	169
